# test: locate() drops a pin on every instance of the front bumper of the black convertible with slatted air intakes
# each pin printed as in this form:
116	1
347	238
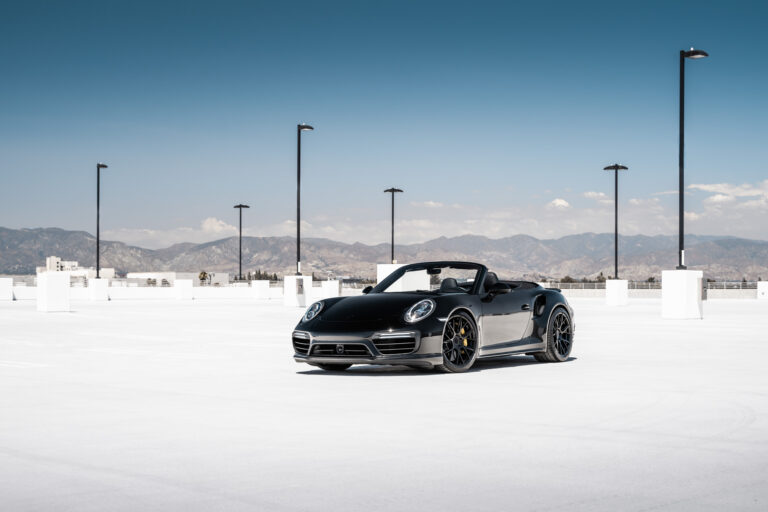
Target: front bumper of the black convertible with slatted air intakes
405	347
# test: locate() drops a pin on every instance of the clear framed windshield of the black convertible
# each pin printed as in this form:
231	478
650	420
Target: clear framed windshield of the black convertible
433	279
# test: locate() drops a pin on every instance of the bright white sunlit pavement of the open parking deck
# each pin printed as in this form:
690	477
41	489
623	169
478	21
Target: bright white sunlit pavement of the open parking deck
199	406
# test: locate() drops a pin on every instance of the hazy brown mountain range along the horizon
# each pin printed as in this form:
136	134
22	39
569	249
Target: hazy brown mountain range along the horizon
584	255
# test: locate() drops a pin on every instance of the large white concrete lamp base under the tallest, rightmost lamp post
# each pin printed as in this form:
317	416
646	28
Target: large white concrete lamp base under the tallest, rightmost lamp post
681	294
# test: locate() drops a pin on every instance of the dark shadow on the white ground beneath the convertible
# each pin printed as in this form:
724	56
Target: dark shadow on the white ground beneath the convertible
406	371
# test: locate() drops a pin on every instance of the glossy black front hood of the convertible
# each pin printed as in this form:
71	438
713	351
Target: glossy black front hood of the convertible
375	307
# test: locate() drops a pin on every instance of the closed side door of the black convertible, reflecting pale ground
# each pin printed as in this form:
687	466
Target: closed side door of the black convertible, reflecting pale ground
505	320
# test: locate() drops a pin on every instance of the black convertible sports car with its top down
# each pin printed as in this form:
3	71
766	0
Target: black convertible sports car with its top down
443	314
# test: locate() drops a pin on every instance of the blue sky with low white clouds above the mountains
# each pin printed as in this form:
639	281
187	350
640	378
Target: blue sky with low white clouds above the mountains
495	117
